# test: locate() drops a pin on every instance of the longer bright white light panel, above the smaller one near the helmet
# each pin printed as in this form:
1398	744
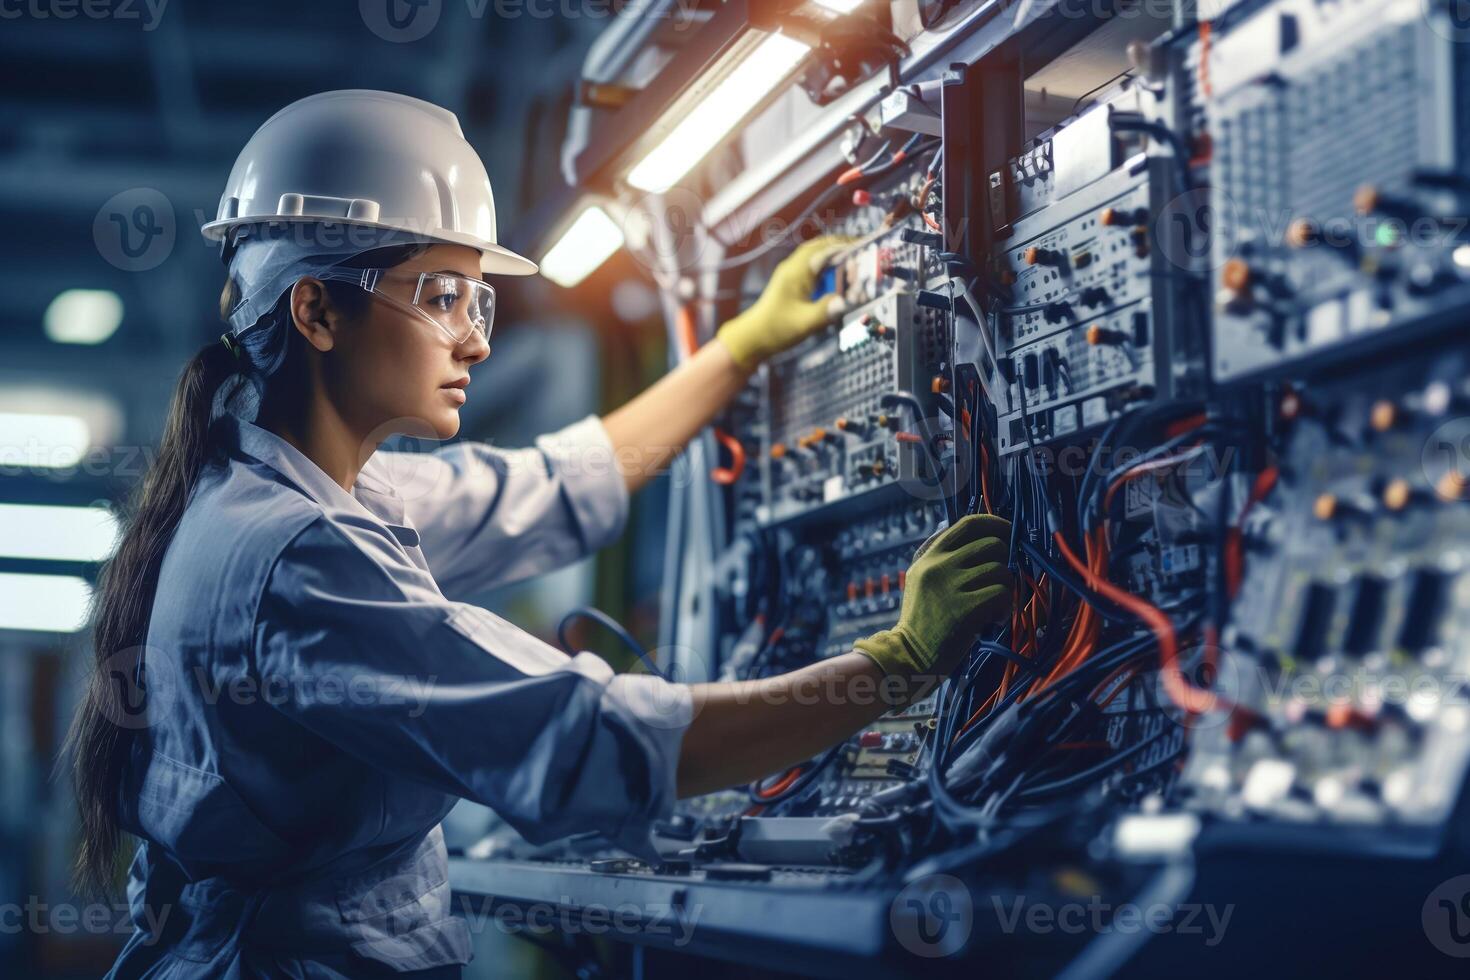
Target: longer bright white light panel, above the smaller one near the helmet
720	112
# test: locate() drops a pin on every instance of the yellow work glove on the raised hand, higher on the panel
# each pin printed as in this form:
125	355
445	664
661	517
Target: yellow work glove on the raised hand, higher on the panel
786	312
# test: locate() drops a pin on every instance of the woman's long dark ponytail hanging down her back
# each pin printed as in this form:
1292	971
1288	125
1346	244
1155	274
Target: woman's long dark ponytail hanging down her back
98	744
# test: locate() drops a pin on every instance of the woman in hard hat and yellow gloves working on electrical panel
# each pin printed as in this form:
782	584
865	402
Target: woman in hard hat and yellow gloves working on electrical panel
314	702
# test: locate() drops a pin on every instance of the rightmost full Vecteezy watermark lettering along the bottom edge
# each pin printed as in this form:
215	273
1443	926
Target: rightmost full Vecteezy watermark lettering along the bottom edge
1099	918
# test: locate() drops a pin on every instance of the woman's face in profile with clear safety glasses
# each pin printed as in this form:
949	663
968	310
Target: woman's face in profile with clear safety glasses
393	371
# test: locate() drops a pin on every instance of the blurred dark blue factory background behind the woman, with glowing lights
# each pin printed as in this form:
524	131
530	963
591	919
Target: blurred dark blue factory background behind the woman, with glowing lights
121	124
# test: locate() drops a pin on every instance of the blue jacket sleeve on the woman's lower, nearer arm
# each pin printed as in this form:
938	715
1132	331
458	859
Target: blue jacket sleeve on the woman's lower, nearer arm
456	697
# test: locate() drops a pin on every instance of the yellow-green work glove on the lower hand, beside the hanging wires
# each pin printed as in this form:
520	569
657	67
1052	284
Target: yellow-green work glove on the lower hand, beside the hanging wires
958	584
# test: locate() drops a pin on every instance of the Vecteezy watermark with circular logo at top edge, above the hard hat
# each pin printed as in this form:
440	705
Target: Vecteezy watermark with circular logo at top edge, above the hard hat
408	21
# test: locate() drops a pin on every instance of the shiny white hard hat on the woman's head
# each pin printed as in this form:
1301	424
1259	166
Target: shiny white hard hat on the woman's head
368	159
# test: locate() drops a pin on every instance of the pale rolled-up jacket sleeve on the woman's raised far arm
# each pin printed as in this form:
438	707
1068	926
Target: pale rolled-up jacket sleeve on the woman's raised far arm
489	516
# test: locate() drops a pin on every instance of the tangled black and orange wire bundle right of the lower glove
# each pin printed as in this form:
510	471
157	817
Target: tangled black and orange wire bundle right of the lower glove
1021	724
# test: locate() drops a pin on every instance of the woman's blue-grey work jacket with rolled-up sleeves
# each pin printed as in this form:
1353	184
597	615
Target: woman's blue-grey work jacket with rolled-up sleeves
317	705
